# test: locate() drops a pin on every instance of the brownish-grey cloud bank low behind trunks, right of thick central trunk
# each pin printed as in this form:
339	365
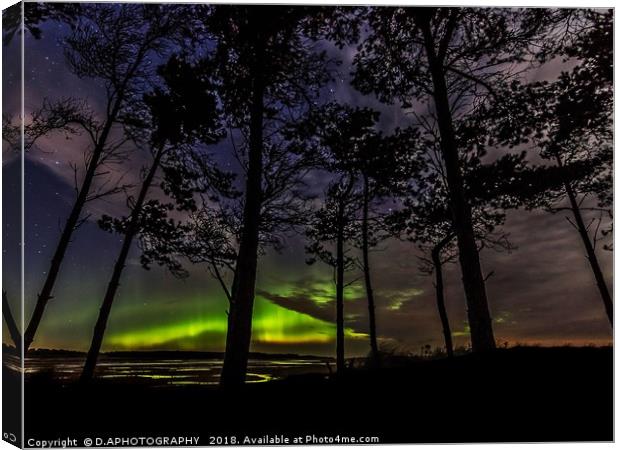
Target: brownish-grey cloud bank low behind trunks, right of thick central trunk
542	292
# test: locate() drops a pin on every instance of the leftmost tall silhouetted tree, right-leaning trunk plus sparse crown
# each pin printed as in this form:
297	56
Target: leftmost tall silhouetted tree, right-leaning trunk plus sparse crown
112	44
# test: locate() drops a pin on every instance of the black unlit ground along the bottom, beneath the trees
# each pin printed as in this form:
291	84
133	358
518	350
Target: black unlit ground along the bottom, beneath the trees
520	394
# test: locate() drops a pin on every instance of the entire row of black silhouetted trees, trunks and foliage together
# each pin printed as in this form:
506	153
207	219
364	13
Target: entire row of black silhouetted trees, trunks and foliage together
187	86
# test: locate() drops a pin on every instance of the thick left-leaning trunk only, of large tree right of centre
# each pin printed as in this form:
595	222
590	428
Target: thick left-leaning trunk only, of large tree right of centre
480	322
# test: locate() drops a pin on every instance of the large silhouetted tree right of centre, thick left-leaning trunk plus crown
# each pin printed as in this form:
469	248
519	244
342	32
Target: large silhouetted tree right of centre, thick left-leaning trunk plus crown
452	57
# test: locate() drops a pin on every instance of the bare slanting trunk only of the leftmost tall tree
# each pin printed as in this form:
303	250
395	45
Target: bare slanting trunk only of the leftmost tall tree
65	238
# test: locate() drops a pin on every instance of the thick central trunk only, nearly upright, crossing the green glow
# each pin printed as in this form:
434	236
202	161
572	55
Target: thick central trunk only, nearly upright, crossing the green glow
239	334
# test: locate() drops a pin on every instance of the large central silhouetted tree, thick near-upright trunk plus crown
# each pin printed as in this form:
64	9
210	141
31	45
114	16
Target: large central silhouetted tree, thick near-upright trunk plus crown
269	72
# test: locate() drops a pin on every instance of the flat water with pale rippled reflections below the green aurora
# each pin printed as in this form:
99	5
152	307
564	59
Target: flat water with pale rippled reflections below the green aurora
162	372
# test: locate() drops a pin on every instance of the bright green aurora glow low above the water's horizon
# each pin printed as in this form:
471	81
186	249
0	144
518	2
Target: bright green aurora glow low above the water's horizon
169	314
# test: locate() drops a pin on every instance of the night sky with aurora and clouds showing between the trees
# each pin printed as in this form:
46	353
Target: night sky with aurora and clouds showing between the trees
543	292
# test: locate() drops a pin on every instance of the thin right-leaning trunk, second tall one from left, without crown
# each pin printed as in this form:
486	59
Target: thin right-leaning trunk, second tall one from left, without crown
106	306
